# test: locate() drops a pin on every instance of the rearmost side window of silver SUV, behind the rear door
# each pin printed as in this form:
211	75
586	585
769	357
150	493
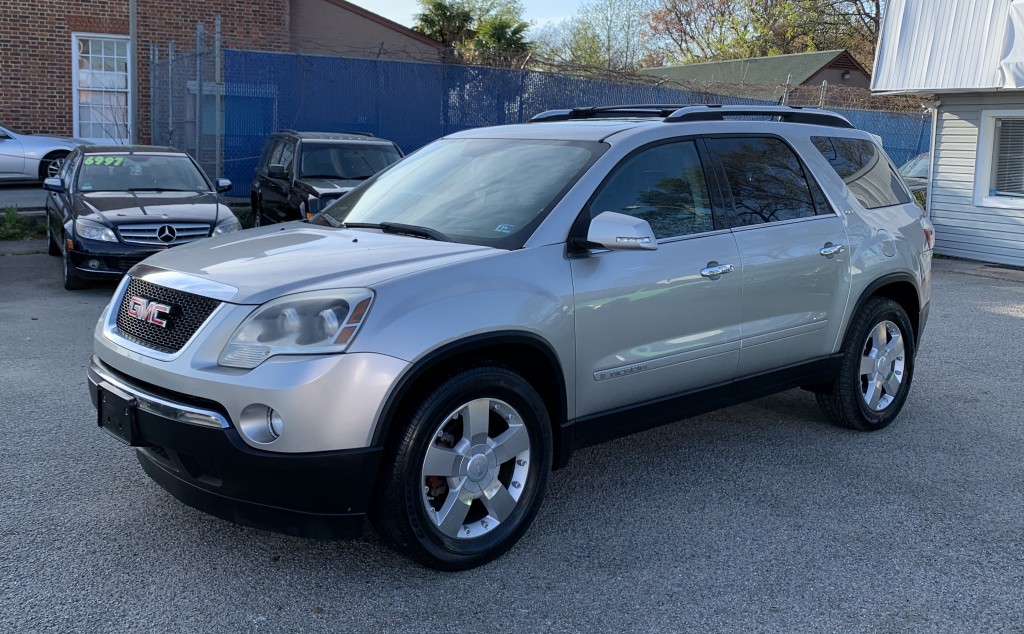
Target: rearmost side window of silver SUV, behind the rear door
865	171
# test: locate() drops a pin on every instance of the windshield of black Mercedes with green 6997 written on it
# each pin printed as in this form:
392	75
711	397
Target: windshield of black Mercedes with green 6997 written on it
137	173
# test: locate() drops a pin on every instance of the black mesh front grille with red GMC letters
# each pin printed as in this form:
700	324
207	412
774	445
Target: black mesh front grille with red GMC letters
188	314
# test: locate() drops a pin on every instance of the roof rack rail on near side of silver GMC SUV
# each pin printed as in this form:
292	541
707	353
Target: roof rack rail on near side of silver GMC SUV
682	113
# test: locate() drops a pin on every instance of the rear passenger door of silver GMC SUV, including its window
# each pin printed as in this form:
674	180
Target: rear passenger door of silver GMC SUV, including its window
794	249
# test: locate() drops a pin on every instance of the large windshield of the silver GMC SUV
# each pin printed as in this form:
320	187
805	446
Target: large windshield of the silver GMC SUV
491	192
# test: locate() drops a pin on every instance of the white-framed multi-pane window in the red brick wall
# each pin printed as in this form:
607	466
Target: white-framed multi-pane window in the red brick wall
102	89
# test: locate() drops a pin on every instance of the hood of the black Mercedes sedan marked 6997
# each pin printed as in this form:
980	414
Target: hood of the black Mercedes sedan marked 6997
118	207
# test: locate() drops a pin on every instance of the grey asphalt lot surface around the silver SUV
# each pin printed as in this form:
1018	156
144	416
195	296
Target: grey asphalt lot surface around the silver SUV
756	519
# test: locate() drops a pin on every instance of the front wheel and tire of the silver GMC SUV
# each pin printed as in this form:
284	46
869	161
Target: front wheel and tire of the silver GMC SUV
412	501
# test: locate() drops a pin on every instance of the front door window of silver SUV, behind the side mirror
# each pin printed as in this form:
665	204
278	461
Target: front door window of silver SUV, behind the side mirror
665	186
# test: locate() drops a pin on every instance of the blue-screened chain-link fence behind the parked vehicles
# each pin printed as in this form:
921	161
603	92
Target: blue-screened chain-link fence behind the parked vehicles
221	106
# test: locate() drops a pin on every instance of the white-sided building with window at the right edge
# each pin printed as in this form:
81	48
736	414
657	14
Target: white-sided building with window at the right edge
969	57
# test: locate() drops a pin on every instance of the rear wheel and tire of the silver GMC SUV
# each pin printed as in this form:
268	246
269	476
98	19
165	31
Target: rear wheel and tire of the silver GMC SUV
877	369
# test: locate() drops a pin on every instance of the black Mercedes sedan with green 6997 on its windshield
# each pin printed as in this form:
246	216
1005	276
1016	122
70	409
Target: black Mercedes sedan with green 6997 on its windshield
111	207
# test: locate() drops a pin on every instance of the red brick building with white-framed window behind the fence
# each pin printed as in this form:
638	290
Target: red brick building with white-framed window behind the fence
64	67
